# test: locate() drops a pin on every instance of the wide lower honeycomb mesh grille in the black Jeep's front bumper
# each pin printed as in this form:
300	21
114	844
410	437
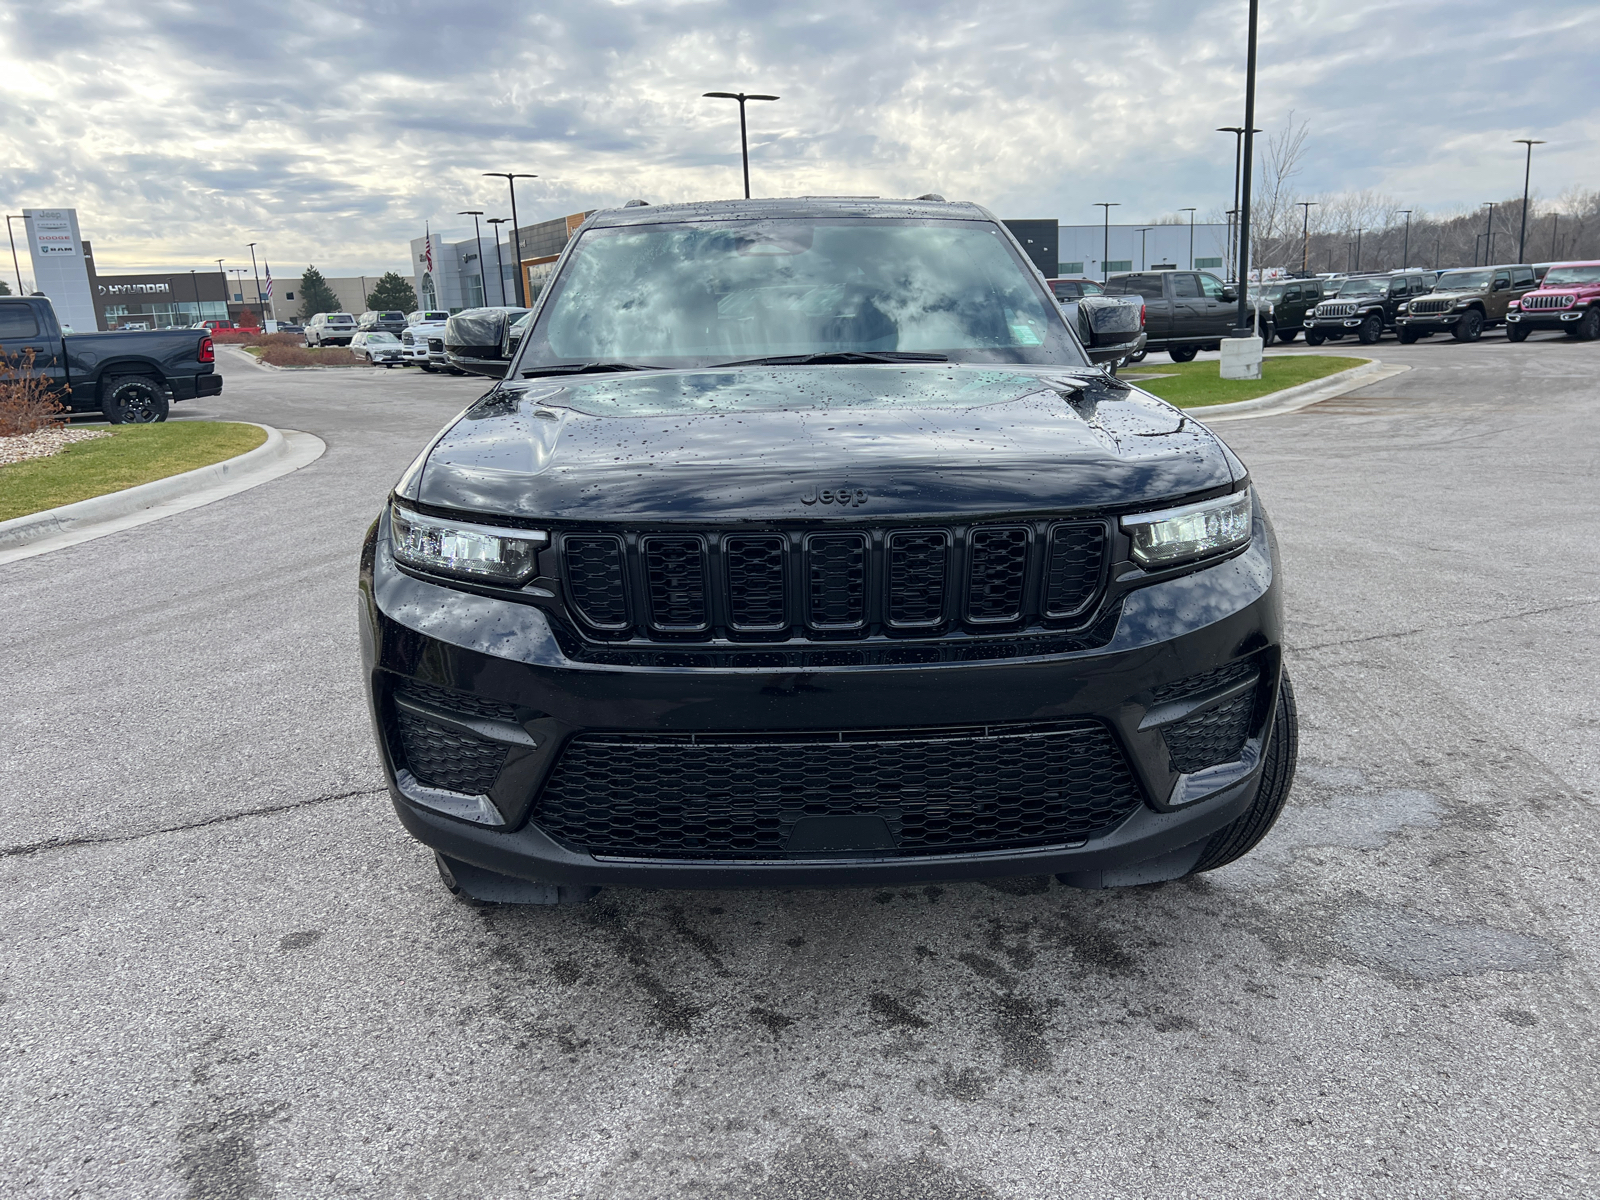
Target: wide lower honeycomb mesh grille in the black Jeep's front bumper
740	796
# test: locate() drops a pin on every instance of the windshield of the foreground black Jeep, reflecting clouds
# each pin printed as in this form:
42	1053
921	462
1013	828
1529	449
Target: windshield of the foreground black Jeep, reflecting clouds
722	292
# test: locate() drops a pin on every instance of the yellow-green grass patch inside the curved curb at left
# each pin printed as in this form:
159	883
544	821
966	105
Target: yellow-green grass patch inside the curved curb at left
130	457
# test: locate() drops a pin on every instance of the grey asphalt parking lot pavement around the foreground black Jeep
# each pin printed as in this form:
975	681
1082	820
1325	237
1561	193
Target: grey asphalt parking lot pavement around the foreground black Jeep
228	974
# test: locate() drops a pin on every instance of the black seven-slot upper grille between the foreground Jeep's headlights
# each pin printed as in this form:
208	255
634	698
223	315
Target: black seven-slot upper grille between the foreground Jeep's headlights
777	585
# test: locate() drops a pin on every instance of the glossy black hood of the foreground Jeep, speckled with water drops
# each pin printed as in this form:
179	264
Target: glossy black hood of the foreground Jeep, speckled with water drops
953	441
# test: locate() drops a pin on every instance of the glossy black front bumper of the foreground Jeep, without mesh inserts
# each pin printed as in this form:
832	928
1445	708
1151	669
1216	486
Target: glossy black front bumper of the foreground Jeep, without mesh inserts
506	652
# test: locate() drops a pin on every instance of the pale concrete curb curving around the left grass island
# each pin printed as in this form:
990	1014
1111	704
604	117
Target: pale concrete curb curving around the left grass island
100	516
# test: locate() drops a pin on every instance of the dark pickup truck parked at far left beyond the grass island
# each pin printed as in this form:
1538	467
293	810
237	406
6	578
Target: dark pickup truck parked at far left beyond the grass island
130	377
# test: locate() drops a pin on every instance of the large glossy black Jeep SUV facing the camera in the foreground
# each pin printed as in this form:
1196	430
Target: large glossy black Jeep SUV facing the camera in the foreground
804	545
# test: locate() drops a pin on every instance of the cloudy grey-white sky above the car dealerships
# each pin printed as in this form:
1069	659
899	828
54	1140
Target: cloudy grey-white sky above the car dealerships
330	132
